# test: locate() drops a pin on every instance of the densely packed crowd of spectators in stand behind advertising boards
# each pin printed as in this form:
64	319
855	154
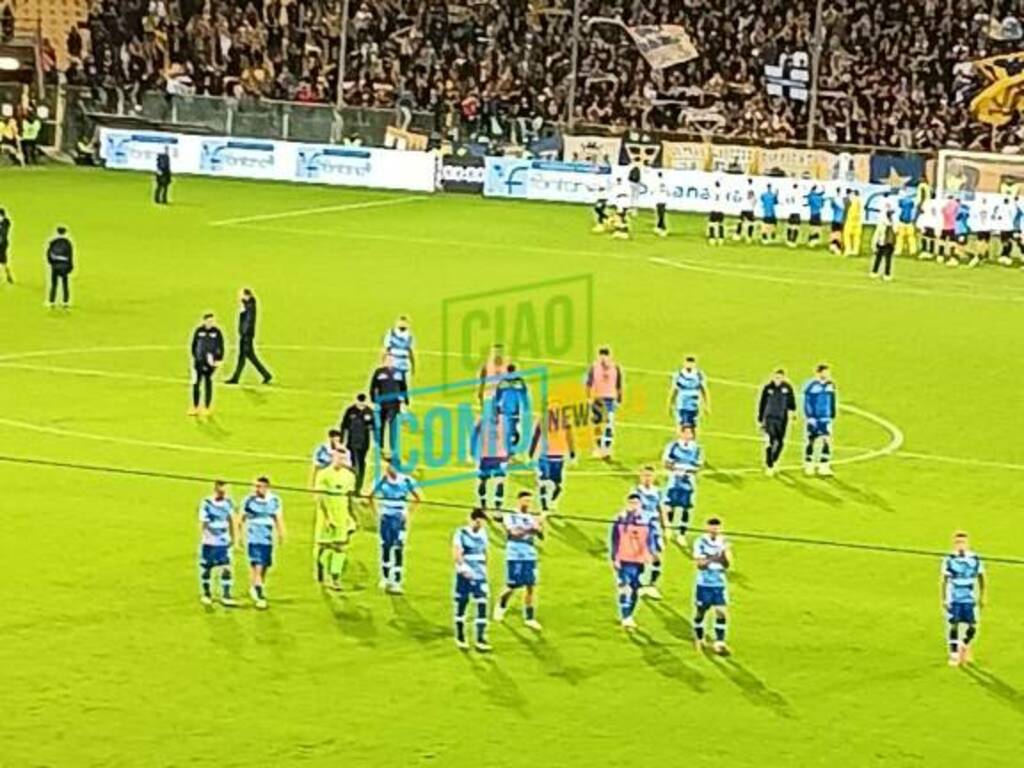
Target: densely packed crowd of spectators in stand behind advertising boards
889	69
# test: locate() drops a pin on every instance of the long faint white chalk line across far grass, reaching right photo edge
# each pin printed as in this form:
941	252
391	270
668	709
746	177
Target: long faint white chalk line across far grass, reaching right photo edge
733	271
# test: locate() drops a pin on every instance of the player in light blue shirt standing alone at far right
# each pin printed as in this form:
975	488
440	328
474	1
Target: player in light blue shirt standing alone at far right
963	591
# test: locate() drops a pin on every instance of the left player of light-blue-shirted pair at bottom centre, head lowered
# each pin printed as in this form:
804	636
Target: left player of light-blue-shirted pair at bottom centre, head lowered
470	548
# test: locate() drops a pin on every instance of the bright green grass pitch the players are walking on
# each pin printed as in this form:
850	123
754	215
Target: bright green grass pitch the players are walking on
107	659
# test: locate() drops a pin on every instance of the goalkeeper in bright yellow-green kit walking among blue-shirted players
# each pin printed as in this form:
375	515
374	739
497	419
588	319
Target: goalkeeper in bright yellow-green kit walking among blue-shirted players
335	522
